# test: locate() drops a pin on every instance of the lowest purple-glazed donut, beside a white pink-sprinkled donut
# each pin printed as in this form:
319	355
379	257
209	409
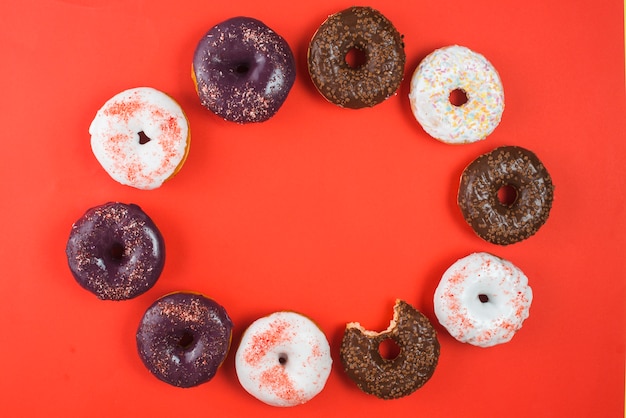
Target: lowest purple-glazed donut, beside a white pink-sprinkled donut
183	338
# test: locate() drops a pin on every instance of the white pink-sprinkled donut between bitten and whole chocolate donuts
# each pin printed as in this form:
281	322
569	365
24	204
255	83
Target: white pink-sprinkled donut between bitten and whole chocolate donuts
483	300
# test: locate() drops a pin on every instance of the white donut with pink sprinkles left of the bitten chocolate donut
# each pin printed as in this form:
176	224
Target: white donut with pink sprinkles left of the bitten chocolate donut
283	359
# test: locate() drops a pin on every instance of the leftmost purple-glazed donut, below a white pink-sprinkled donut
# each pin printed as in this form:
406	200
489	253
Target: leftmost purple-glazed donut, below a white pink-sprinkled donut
115	251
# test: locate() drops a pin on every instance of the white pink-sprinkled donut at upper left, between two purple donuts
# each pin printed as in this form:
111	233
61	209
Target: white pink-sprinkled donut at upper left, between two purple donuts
140	137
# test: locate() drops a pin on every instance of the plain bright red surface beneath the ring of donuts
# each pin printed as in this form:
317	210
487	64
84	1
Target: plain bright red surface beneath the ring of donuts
330	212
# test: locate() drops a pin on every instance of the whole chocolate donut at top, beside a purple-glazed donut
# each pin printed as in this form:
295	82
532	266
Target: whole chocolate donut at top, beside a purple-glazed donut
379	52
